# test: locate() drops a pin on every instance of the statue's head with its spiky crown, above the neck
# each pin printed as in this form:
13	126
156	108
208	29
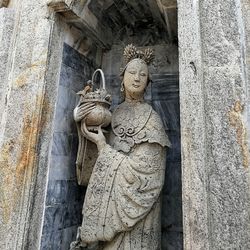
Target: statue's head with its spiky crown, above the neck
135	73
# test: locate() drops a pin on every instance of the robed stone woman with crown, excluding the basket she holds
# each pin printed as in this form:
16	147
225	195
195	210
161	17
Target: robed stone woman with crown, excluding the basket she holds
122	203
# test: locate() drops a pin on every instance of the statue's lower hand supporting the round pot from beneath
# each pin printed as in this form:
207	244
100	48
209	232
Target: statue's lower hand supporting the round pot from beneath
98	138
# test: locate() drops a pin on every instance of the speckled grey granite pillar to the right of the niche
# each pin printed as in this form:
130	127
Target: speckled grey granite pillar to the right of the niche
214	150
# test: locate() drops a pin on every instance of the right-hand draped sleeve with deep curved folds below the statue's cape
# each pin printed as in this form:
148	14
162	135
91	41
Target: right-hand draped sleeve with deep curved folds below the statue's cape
138	184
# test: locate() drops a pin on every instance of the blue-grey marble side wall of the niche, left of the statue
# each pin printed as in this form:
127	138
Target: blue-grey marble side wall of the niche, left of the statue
64	197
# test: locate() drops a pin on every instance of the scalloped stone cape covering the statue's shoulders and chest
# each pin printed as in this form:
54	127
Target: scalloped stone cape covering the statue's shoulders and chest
135	124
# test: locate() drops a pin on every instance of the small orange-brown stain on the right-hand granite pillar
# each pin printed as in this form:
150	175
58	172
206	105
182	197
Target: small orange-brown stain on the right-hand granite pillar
236	120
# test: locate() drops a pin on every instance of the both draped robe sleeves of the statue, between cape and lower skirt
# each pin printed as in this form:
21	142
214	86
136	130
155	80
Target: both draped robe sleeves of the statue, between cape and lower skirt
122	190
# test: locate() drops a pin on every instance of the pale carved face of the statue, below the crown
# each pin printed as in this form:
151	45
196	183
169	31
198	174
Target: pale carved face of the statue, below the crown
135	79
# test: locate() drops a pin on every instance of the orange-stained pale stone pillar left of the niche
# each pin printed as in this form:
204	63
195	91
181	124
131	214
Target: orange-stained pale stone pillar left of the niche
25	126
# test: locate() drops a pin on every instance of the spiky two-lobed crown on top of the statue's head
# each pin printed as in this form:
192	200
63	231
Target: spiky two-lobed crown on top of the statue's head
131	52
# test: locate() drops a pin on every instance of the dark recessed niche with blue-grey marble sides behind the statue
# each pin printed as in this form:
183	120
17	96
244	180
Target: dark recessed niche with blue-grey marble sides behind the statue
144	24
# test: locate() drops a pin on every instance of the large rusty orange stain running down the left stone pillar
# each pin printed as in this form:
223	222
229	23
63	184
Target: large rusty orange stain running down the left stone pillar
14	175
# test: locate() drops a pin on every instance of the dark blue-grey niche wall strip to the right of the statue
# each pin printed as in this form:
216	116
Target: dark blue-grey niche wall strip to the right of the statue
165	100
